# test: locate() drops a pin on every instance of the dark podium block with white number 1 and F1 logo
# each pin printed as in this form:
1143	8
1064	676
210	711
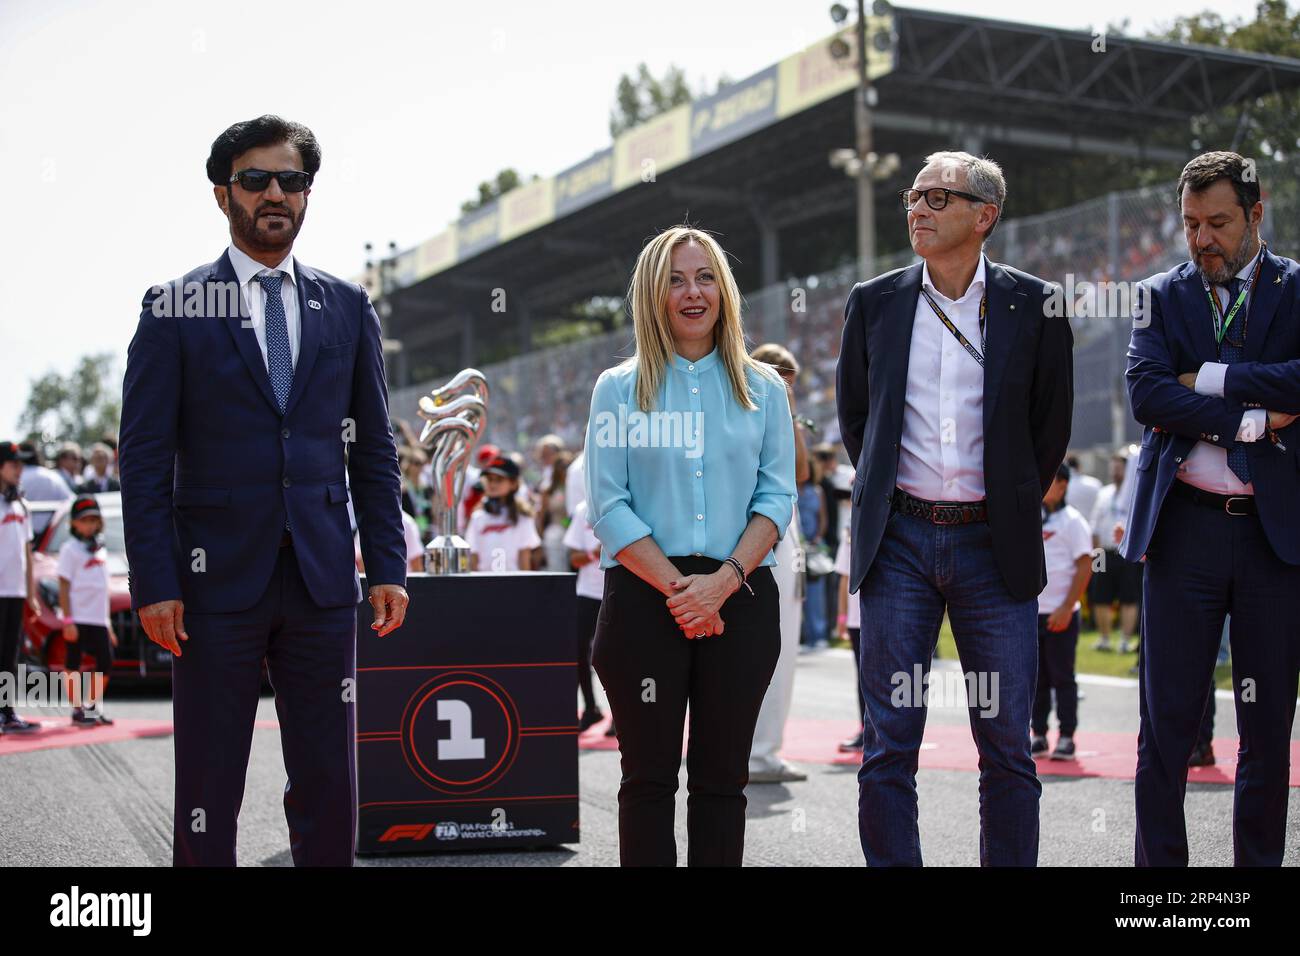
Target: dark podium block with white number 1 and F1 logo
466	716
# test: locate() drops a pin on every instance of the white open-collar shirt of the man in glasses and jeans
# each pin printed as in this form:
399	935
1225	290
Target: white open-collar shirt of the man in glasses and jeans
942	456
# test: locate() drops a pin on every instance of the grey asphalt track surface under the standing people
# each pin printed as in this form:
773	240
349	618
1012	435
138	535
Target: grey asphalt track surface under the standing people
110	804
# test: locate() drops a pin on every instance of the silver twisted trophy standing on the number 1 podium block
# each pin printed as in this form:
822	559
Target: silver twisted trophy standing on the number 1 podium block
456	418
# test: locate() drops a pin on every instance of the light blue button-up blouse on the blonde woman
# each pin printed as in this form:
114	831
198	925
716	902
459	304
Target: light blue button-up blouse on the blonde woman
694	470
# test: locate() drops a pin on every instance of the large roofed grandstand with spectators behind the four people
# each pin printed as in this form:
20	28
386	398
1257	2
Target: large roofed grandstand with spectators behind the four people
751	163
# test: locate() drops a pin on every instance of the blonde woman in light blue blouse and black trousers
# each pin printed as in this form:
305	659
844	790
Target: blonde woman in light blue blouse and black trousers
690	485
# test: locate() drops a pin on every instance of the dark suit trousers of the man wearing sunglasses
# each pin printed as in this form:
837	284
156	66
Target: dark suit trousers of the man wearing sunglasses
216	684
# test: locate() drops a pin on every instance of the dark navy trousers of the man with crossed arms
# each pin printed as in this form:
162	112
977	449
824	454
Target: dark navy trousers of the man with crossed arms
1203	565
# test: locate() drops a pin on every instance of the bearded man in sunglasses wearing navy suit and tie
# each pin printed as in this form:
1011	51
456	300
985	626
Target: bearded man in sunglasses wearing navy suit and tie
254	391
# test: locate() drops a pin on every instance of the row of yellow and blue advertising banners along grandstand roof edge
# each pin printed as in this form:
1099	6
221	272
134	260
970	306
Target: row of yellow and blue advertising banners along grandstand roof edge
640	155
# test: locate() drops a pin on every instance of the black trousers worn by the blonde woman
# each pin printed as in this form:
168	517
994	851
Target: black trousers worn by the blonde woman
652	672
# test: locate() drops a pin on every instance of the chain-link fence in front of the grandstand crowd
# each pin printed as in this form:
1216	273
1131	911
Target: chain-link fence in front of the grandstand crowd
1095	250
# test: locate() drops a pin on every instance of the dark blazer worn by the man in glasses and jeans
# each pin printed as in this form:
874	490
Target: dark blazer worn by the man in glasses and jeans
1029	403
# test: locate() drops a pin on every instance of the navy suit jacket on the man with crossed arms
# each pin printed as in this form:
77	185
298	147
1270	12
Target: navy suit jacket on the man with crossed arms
1173	334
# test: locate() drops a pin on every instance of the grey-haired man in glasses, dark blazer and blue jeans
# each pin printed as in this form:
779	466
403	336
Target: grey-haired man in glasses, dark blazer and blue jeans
955	392
